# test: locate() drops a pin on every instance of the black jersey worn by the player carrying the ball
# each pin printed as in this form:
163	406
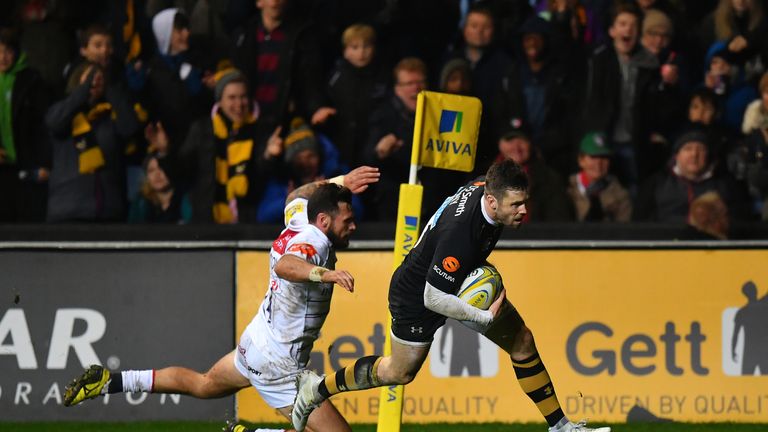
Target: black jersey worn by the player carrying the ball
457	239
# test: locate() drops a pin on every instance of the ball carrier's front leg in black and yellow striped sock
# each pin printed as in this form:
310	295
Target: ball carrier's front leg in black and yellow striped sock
509	332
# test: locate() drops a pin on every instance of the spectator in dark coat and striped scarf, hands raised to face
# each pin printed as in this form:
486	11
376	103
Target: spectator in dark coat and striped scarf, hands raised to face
89	128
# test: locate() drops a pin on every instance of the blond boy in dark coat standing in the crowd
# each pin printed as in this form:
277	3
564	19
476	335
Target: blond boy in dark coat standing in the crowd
356	85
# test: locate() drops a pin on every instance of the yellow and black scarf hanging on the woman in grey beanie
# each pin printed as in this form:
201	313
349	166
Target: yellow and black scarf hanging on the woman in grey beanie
234	149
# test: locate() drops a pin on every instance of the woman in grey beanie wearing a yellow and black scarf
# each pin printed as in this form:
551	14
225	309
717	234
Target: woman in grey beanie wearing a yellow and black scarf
229	154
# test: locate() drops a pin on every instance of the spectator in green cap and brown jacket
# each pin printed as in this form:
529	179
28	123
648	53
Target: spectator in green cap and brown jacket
597	196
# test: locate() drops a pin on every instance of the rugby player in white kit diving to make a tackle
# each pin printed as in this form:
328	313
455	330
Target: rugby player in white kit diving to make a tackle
275	346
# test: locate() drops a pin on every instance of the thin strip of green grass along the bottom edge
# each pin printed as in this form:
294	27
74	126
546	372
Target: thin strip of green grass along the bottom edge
435	427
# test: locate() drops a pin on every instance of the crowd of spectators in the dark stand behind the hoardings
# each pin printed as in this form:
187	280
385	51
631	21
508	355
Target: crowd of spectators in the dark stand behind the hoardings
162	111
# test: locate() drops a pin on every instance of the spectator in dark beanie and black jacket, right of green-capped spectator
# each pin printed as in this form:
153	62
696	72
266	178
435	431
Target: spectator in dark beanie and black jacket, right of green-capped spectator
667	195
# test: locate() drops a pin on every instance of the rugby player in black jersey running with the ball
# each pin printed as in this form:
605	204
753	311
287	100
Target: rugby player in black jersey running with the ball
458	238
